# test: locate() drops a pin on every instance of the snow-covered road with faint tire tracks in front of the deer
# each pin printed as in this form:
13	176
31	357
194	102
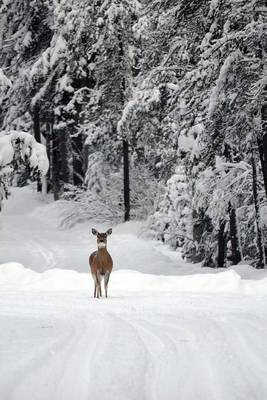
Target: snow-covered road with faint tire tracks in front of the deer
68	346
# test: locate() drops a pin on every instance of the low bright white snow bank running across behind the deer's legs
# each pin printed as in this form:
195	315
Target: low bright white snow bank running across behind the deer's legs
14	276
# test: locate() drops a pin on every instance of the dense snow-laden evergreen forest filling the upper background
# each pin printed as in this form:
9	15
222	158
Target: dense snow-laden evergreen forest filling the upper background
152	110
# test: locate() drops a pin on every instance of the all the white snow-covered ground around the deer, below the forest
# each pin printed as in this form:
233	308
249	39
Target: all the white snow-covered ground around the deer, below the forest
169	330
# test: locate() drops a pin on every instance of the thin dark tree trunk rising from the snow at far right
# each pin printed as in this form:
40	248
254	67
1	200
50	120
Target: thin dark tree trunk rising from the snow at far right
260	242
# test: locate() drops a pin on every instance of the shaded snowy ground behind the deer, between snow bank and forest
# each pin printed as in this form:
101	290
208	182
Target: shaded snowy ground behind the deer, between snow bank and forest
30	235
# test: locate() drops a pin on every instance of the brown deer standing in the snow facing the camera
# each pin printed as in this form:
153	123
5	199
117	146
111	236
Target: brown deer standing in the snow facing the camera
101	262
